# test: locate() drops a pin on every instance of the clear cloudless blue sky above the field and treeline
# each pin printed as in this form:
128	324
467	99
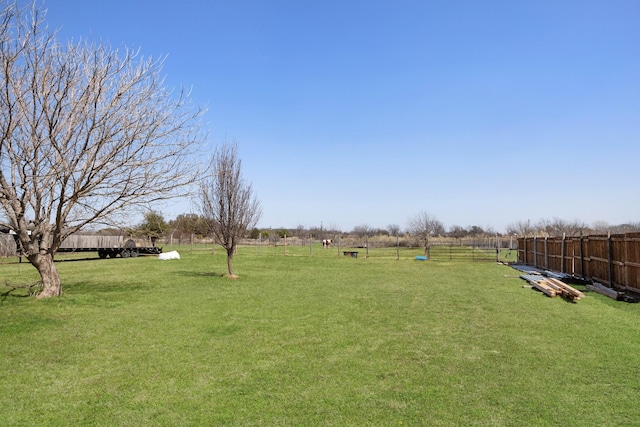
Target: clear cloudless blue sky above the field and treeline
369	112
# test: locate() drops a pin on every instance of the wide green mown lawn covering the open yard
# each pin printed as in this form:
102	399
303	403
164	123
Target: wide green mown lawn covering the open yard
311	340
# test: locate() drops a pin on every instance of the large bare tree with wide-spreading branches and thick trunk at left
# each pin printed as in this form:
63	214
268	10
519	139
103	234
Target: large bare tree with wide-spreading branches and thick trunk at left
86	132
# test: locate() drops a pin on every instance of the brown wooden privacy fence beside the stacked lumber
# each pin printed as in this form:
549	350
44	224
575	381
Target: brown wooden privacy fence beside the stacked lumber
612	259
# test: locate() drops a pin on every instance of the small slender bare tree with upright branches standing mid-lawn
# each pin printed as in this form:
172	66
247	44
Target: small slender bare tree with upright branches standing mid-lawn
228	201
